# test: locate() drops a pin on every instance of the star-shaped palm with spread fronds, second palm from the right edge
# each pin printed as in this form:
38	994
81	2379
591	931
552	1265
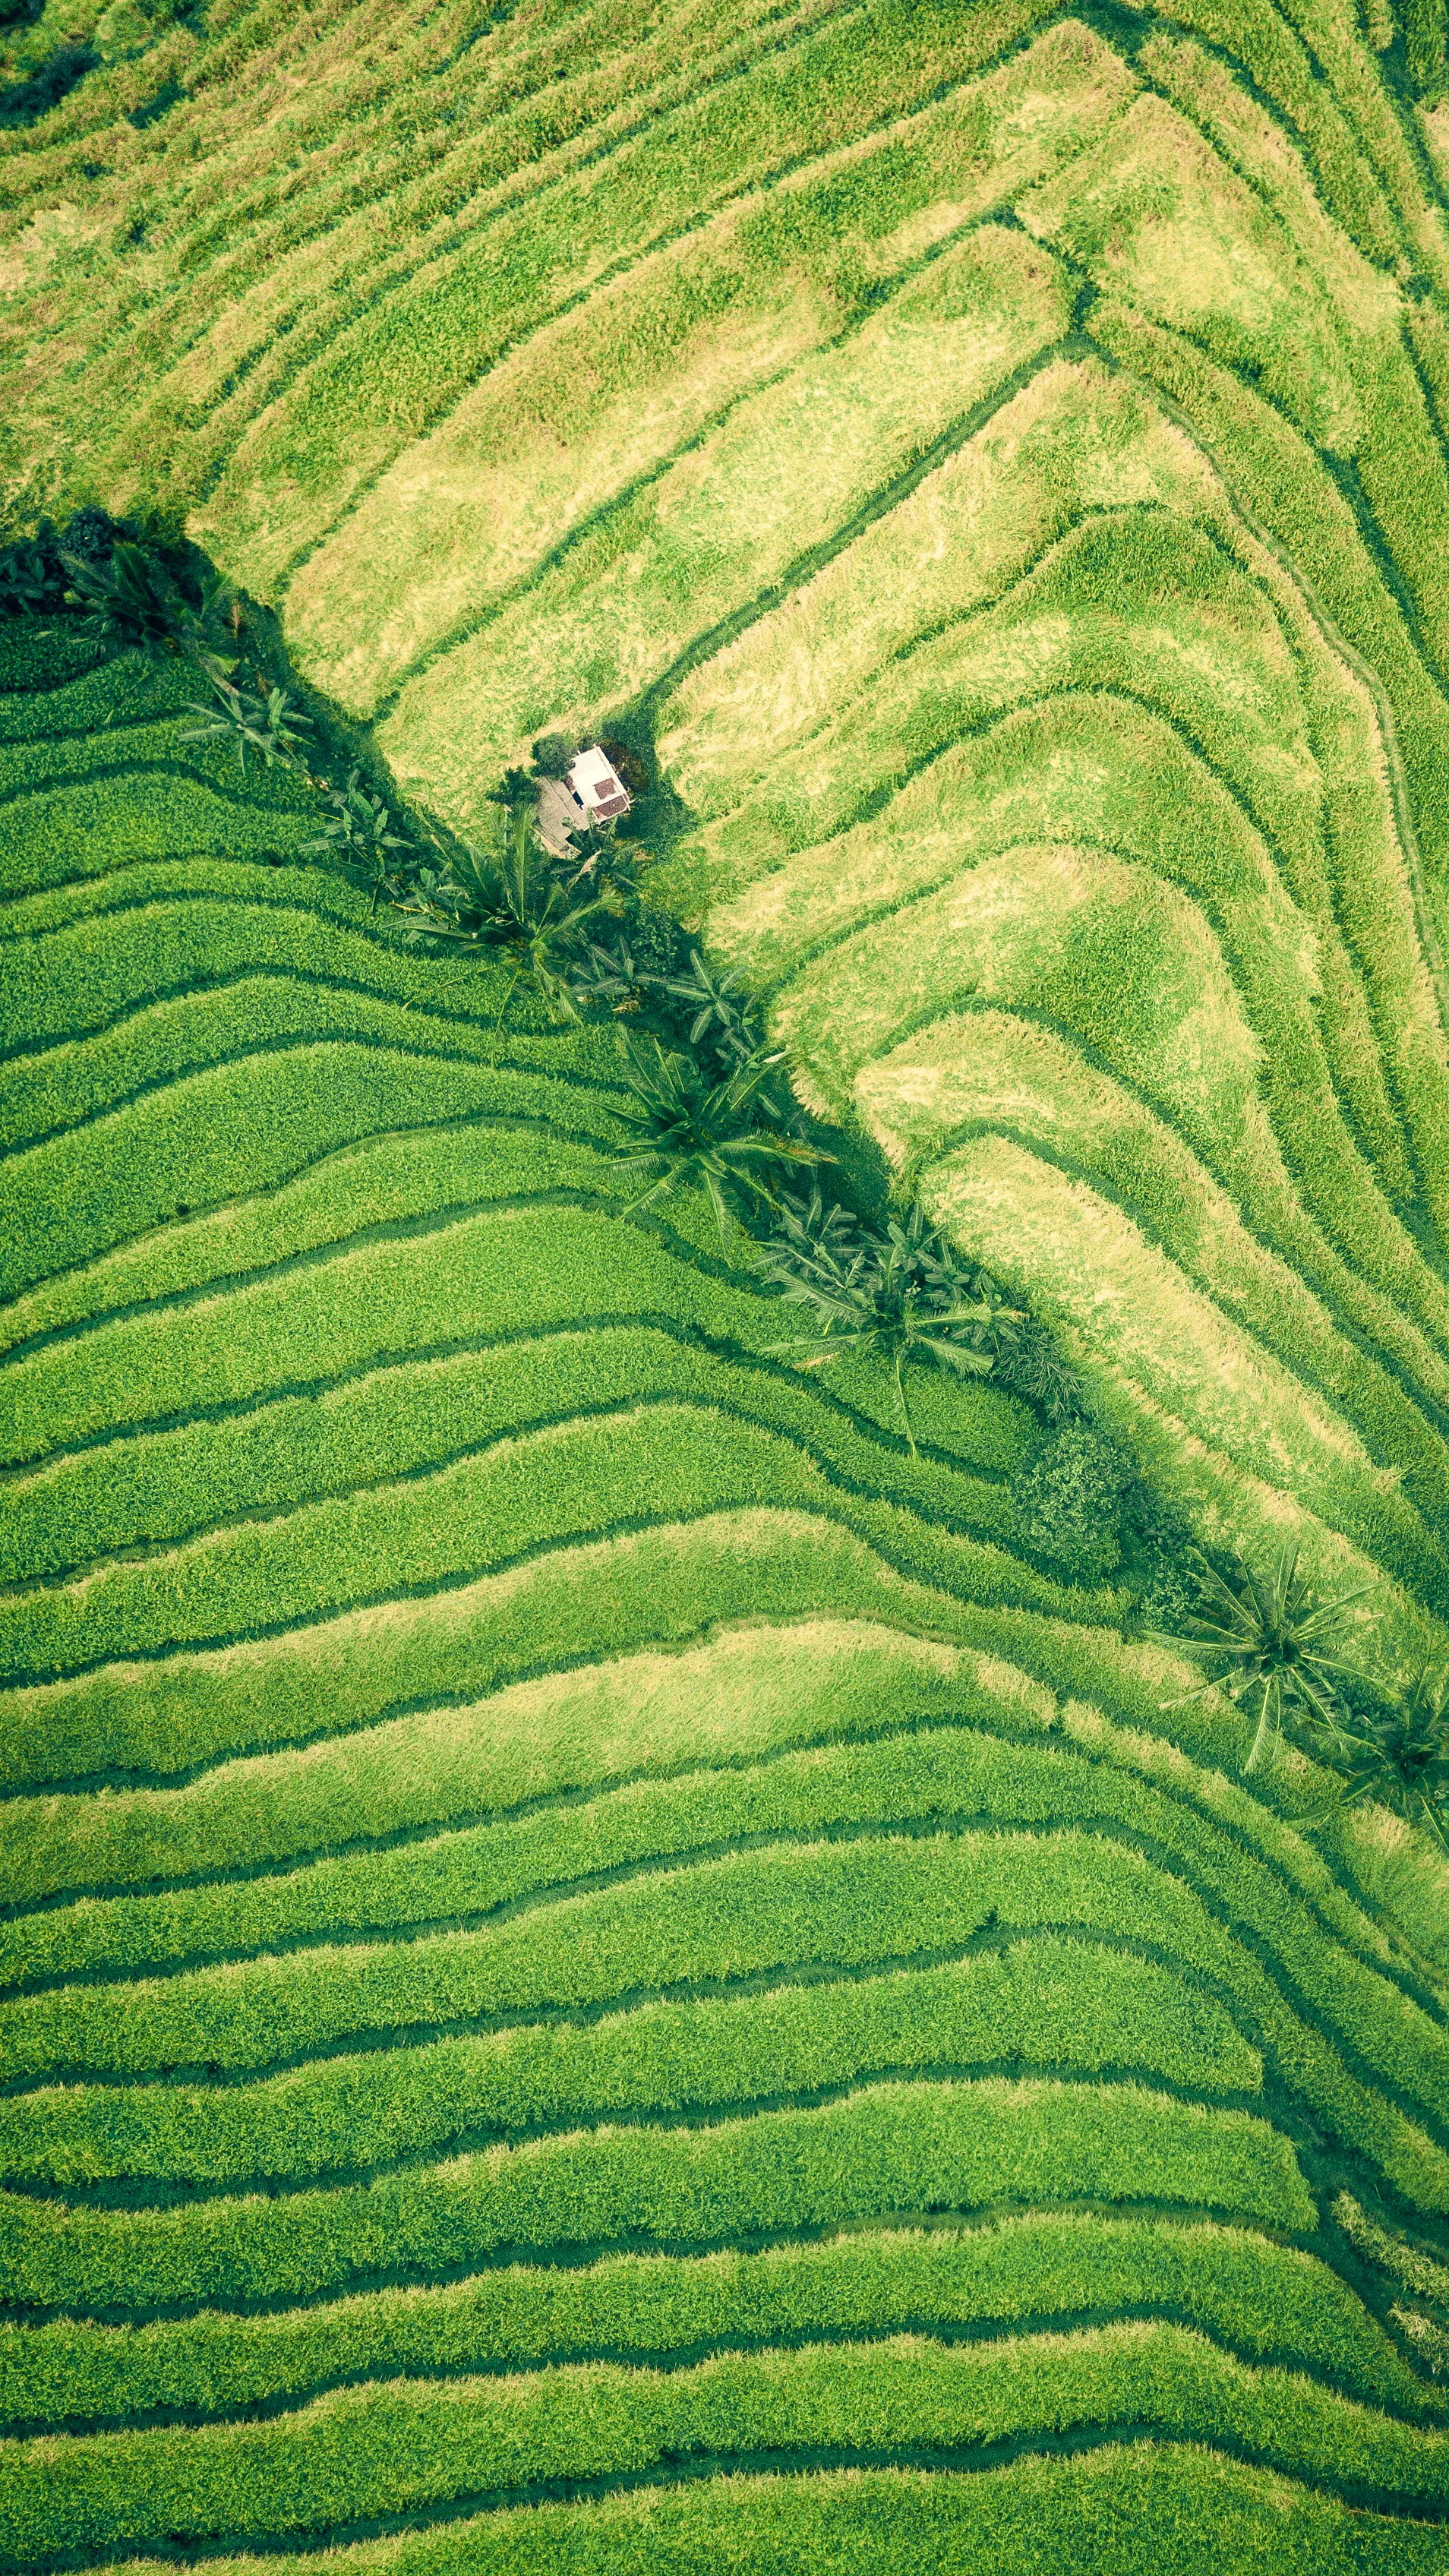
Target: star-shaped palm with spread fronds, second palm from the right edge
1275	1650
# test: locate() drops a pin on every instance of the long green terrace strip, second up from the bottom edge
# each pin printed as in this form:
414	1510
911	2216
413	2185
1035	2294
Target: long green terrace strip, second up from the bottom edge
427	2443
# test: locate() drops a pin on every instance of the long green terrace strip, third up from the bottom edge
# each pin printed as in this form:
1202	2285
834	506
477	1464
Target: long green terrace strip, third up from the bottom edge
1247	2291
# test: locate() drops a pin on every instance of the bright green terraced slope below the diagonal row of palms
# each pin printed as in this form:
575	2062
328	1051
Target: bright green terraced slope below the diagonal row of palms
847	1887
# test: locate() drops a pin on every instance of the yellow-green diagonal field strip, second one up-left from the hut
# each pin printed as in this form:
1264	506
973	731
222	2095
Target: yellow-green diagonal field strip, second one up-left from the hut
638	370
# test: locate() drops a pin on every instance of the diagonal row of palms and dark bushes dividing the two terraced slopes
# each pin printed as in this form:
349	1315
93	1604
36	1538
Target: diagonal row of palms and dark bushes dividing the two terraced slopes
708	1106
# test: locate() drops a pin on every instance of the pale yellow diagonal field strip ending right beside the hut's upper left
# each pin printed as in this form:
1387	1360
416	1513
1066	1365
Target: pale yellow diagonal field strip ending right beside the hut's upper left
811	452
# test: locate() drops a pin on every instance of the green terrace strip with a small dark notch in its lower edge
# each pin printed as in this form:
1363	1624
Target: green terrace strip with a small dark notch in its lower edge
798	1905
